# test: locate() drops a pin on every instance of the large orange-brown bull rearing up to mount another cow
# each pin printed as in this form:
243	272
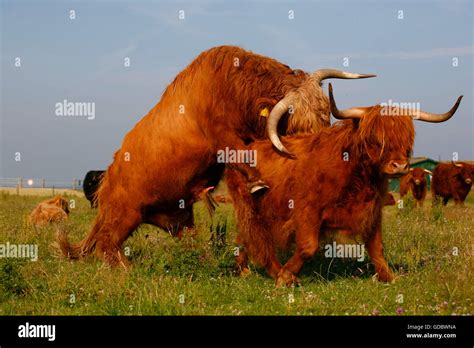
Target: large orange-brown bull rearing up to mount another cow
220	101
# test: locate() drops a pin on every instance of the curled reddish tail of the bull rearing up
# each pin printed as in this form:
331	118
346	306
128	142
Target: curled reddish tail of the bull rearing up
75	251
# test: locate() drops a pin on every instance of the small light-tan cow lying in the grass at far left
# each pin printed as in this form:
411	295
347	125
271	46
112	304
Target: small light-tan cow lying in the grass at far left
52	210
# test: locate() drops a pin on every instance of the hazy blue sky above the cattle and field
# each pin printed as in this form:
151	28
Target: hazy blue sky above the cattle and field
82	60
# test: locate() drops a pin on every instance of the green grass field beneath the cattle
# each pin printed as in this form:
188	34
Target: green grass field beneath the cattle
430	250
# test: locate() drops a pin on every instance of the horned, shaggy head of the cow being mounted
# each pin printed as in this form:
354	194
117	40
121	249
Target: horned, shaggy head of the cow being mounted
386	134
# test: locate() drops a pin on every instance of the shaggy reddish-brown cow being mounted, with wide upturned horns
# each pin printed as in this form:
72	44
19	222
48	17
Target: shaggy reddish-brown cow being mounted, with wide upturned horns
338	181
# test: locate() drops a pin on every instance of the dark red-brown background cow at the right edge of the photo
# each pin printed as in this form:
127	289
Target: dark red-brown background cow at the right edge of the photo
452	180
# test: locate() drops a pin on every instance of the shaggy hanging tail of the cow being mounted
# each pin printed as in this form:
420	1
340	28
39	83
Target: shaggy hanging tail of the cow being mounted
254	234
